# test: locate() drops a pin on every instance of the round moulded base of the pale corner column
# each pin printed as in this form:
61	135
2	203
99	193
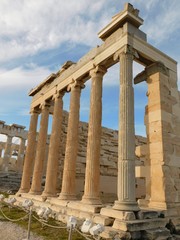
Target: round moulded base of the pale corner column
126	206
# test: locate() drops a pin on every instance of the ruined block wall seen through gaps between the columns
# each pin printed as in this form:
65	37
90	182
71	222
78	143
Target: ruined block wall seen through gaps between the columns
108	162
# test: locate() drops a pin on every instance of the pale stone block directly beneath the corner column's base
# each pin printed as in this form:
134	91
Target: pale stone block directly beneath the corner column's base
123	215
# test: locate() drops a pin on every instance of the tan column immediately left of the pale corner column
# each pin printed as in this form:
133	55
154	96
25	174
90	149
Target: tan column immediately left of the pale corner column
92	175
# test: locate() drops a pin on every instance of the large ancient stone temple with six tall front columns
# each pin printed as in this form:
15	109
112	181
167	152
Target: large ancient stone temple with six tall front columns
122	42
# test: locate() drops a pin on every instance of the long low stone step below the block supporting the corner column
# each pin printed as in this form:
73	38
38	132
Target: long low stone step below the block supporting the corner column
138	225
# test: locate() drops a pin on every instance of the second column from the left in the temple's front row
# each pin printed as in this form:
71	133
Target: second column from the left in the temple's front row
40	151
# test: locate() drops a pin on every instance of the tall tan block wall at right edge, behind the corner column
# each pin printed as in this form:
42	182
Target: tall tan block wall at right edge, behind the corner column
162	121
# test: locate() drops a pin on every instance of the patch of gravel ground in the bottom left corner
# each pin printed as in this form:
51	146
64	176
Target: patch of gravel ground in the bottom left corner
11	231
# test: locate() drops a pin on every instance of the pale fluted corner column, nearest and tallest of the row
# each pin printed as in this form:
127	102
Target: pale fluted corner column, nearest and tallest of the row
126	140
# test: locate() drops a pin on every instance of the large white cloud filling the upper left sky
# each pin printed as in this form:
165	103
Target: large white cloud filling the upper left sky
27	27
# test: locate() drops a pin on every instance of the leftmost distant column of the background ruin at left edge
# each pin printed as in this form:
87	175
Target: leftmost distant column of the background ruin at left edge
7	153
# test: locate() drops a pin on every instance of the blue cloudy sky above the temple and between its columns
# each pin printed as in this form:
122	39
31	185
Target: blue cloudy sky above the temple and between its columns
38	36
